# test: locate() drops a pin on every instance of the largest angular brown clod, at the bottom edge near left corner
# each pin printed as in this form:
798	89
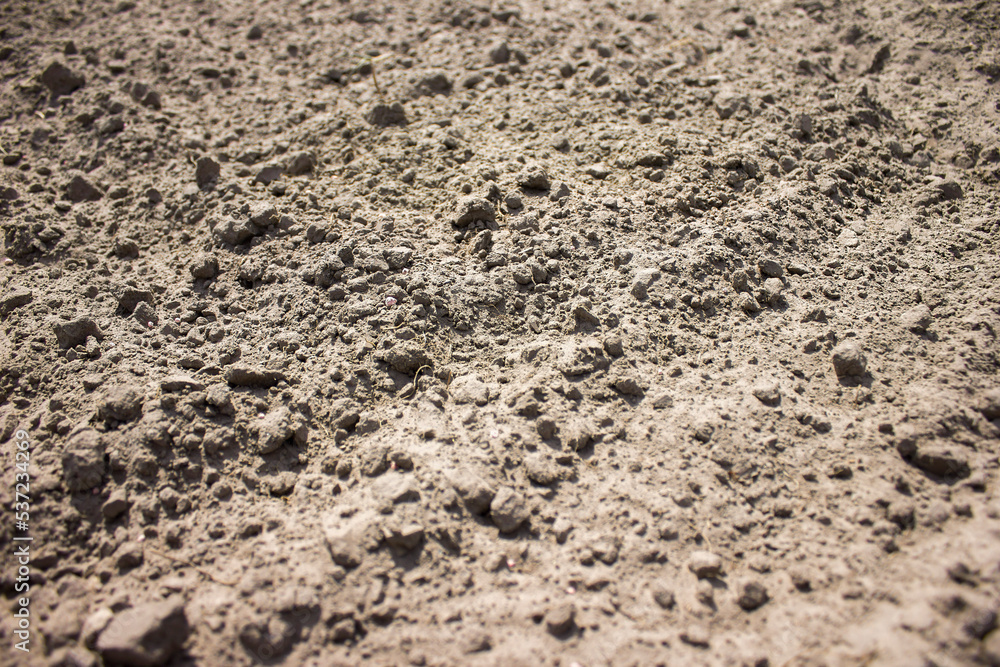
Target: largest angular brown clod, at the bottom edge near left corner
148	635
